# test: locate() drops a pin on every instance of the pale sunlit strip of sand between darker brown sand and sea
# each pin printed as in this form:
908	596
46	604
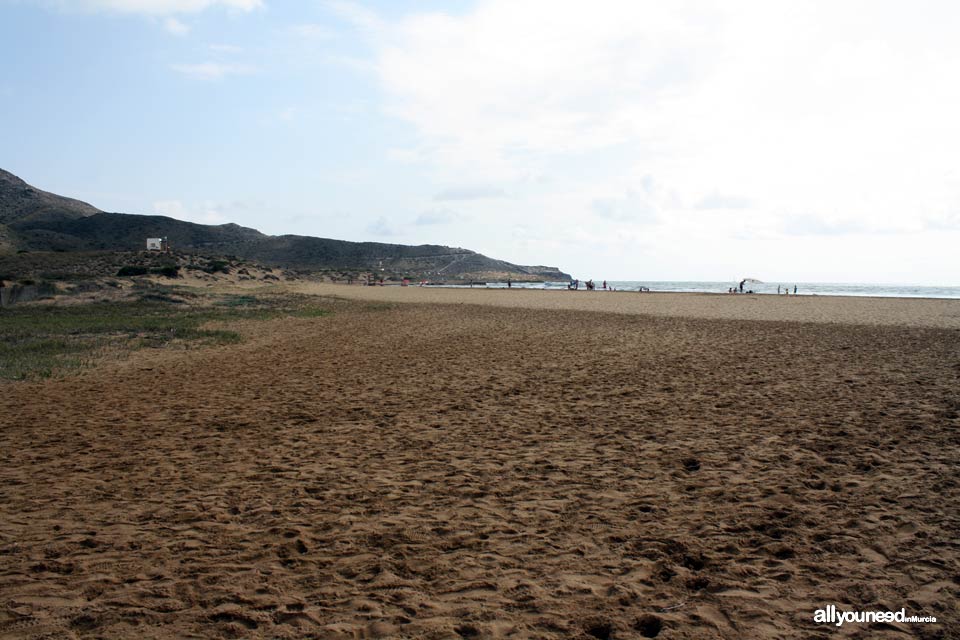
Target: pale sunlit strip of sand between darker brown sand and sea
925	312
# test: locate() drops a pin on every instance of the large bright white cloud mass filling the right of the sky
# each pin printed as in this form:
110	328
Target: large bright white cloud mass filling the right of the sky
759	118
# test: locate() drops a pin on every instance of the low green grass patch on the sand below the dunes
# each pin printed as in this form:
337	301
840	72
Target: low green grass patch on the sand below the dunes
41	341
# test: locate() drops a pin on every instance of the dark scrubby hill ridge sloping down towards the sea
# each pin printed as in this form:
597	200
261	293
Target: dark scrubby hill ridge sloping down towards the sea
34	220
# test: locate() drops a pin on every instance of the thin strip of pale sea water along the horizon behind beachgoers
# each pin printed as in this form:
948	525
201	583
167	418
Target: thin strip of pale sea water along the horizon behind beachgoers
803	288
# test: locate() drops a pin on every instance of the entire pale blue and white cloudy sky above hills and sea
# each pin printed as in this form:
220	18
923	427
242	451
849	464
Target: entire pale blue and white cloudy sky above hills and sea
617	139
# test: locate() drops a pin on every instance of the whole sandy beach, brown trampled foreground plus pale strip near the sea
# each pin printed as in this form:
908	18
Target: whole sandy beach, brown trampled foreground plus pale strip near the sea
457	471
